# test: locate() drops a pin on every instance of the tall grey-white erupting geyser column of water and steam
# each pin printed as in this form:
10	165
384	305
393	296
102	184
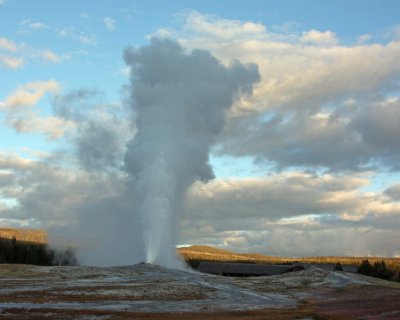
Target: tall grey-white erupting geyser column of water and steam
179	100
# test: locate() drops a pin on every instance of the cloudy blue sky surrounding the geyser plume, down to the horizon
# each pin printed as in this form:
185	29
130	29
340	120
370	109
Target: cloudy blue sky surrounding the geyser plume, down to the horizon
306	164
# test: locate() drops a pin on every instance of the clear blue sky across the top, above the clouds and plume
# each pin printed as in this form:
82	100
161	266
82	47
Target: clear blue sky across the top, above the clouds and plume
92	54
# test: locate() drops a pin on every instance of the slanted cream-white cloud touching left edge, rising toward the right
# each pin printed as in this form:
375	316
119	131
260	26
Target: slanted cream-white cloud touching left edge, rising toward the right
29	94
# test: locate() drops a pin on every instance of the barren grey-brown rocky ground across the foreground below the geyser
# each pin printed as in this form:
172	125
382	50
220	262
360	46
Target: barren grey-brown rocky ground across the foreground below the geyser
151	292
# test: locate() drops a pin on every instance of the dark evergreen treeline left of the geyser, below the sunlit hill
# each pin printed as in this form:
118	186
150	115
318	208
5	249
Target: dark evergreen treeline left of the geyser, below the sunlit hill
13	251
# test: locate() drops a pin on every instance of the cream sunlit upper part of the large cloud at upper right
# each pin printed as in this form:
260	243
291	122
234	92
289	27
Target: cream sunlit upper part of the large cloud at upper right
291	70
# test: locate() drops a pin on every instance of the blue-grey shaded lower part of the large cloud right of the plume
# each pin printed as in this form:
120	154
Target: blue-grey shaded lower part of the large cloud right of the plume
352	137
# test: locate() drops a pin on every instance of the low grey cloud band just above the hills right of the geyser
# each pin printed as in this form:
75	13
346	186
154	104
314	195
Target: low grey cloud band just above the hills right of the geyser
297	240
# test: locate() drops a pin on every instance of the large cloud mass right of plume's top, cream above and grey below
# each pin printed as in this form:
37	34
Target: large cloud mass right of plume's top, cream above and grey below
310	96
